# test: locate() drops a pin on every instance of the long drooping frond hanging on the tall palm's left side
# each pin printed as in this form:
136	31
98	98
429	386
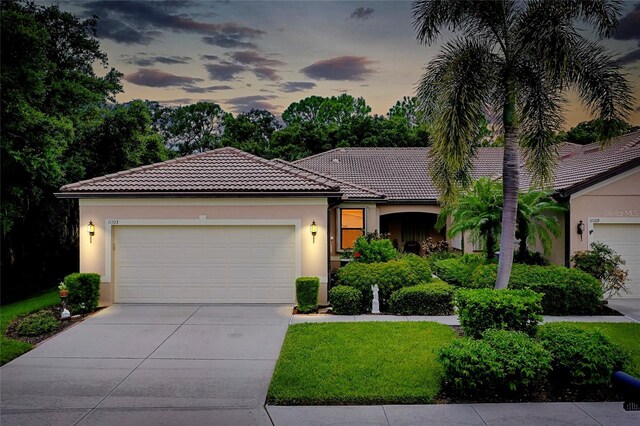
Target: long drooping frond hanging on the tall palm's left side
453	94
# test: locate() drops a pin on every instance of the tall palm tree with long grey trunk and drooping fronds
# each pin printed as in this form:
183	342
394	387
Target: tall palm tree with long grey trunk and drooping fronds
516	59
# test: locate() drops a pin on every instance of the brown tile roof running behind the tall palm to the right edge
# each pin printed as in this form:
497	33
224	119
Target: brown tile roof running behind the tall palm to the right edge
401	173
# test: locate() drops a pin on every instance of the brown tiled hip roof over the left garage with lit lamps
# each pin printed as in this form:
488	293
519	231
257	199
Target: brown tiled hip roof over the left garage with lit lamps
220	171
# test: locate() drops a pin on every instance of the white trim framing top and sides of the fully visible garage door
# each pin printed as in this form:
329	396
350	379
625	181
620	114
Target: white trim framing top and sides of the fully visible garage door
201	221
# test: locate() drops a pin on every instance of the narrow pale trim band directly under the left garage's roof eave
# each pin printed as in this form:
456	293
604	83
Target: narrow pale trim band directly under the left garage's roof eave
302	201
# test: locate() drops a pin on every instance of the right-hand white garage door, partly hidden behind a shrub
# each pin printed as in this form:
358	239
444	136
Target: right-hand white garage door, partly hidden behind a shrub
624	238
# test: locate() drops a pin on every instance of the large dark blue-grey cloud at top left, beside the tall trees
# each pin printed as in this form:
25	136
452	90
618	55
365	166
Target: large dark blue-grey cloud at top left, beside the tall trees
132	22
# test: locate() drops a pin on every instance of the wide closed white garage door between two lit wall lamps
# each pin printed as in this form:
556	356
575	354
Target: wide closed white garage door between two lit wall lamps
204	264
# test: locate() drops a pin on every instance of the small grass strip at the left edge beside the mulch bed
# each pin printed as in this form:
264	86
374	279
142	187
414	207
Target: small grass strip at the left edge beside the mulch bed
9	348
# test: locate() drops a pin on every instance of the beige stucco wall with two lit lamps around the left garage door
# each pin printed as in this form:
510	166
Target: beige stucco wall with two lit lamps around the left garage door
95	256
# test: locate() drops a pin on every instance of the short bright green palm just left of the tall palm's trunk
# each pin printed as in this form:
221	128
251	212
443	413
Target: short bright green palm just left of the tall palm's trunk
479	210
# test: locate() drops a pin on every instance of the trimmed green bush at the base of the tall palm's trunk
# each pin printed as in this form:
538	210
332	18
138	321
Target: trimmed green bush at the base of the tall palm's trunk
485	309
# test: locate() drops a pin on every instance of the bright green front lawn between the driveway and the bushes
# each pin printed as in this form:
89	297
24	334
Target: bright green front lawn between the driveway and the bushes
359	363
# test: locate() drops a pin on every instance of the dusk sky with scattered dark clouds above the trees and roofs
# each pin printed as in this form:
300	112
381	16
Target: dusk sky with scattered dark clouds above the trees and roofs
268	54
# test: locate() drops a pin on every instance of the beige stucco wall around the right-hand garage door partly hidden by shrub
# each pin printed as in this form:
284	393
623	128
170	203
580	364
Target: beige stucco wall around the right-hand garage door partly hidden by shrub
618	197
